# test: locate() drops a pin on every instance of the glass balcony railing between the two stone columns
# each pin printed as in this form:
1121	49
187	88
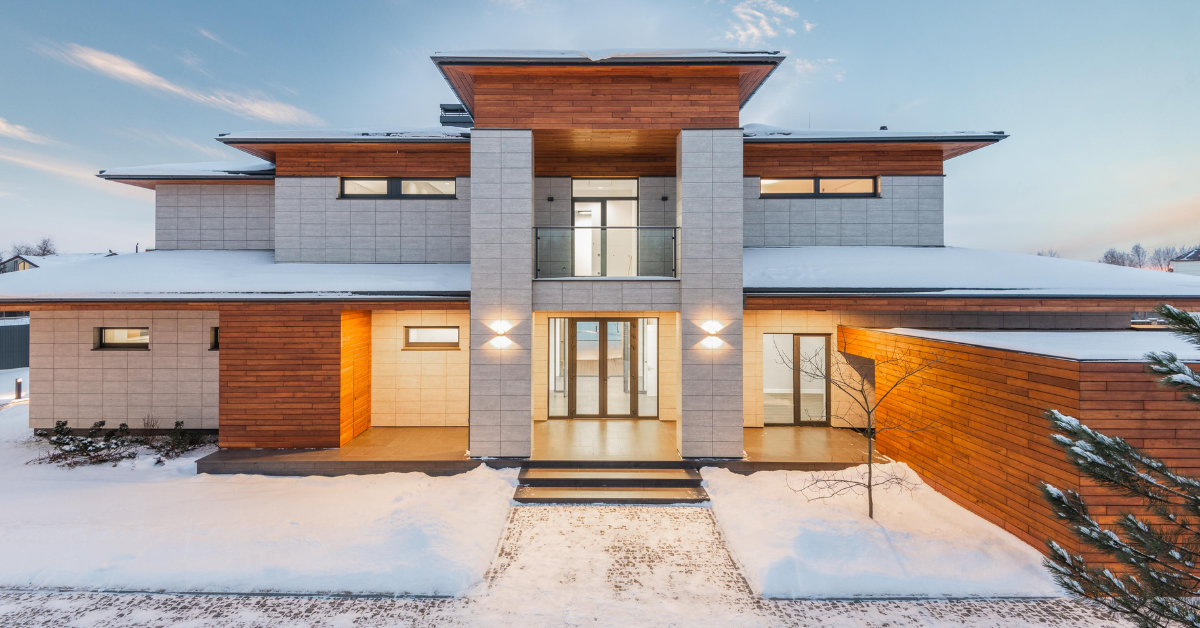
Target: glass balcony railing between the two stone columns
605	252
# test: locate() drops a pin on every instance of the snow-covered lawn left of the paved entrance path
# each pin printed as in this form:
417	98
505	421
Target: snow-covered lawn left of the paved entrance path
143	528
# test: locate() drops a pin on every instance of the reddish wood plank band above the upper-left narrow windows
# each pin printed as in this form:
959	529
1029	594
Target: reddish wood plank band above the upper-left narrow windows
394	159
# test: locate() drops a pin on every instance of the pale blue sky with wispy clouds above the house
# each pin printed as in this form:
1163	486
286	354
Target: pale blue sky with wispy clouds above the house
1101	99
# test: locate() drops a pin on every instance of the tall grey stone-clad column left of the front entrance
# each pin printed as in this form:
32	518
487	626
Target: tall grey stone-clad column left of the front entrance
501	290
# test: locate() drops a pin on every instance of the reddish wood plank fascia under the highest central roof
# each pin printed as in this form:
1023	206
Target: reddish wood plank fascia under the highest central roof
604	98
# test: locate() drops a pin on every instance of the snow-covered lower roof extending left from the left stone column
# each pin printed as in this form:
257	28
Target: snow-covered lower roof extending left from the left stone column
237	276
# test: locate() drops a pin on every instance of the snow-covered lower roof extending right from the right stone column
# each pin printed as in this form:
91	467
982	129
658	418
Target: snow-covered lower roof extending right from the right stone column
949	272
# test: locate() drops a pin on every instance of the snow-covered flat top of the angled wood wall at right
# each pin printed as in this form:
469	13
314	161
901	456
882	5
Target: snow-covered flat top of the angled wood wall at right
1084	346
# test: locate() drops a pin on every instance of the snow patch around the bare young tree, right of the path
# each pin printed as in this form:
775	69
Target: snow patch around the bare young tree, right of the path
920	545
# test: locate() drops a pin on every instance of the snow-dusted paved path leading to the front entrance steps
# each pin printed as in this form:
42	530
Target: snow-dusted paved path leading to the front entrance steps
560	566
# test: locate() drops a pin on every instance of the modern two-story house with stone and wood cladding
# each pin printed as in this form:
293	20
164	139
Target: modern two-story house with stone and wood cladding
595	255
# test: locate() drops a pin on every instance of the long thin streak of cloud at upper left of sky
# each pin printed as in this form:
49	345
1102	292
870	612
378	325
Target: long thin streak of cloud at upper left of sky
128	71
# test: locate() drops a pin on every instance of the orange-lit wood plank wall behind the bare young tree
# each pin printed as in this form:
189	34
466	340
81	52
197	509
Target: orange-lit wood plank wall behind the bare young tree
989	447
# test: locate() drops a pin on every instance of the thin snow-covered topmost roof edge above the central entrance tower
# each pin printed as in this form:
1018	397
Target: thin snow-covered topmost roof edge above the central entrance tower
609	56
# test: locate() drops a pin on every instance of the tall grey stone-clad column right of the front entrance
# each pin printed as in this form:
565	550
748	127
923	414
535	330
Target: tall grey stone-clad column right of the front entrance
710	190
